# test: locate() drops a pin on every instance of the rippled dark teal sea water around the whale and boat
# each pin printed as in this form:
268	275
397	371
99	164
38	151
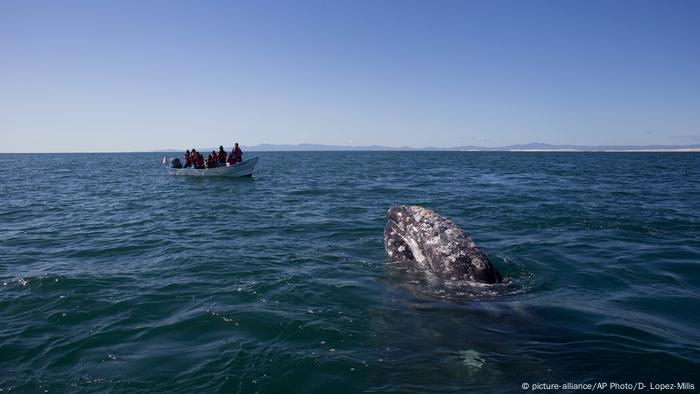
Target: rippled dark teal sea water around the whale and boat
115	277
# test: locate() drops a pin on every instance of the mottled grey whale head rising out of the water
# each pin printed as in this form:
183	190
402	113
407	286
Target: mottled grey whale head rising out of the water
435	243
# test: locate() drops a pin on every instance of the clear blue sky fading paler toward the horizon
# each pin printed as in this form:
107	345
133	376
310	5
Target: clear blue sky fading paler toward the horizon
93	76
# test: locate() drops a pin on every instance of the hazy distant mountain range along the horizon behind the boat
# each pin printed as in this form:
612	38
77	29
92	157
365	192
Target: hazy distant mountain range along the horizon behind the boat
533	147
